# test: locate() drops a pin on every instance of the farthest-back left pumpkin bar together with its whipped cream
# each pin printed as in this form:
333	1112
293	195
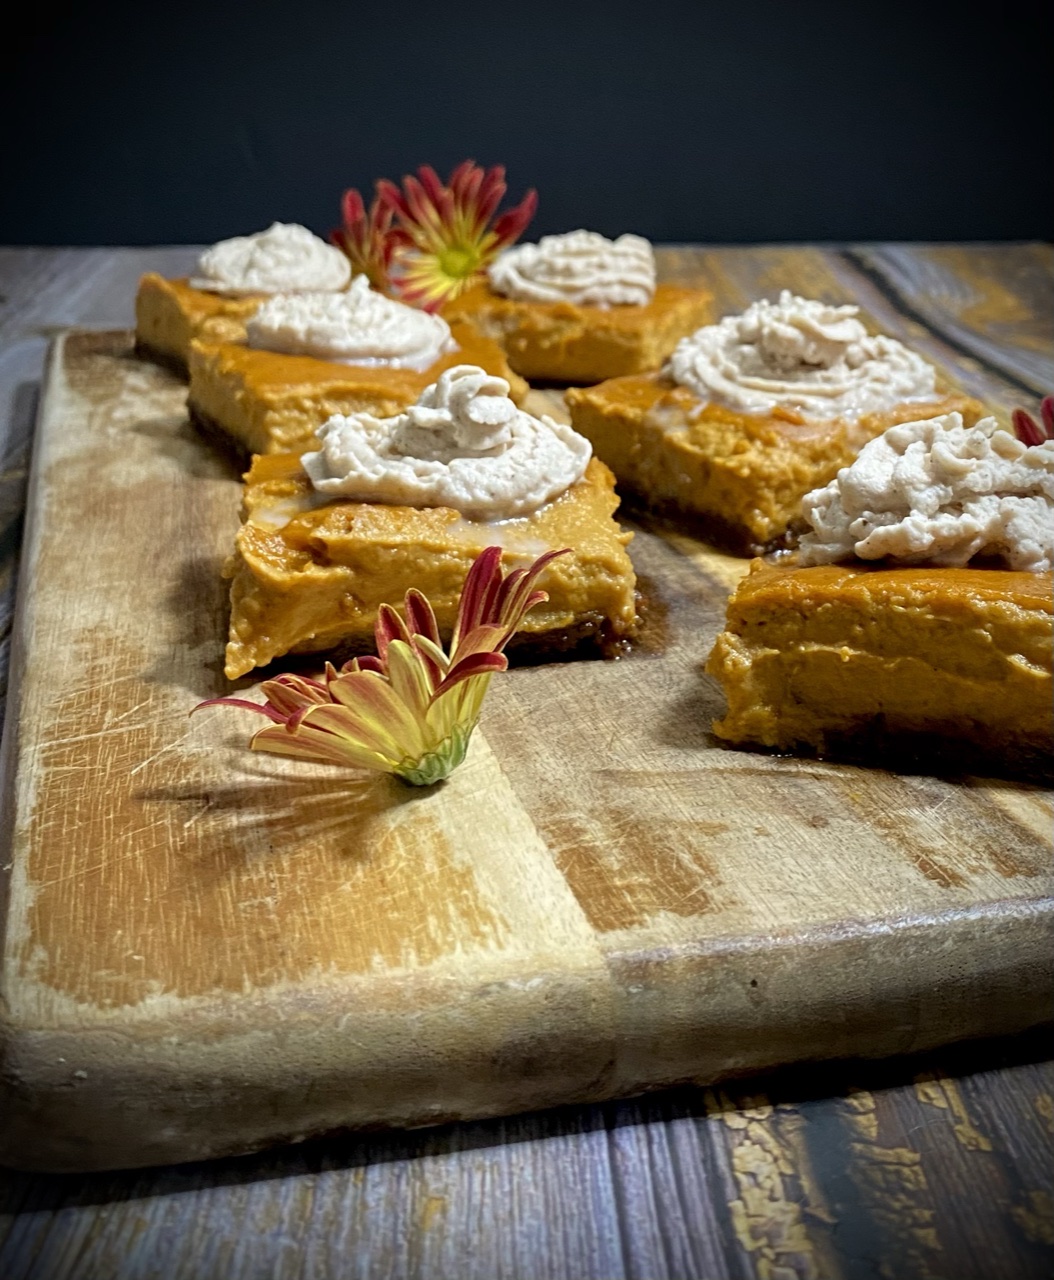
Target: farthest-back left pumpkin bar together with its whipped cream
234	280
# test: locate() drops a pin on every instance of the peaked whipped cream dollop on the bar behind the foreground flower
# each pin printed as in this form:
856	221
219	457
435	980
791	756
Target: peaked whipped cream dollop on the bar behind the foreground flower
464	445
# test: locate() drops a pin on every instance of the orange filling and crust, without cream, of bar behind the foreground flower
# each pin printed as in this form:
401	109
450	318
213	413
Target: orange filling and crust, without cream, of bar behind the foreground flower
309	577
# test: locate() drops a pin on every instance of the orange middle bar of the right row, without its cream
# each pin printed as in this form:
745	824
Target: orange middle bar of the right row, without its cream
737	478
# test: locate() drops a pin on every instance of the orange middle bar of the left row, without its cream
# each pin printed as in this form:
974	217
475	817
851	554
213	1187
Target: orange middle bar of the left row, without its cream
270	403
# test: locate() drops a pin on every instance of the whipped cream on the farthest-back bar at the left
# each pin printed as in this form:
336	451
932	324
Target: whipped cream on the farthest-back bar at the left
284	259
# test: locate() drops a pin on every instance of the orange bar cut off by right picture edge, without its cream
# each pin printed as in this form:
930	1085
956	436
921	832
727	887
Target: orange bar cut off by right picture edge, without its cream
875	662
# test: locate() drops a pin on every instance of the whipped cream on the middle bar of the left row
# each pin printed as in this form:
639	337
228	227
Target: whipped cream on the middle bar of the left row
357	327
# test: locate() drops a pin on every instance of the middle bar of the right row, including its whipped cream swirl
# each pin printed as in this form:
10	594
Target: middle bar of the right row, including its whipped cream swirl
752	414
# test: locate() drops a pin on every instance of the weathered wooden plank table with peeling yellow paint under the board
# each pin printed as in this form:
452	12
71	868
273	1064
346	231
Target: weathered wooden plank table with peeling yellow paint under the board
929	1167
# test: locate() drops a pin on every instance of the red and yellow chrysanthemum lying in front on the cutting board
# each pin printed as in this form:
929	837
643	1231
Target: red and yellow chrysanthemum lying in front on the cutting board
412	710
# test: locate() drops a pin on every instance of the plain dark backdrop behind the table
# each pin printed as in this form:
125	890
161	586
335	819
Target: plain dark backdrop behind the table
807	120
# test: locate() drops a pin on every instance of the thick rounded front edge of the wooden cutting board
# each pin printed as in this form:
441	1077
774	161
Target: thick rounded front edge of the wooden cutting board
202	1087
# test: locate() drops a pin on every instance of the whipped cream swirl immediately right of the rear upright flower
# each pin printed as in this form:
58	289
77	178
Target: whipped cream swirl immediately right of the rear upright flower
581	267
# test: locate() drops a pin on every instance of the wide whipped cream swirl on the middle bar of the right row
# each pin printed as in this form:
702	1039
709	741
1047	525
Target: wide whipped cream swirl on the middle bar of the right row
800	355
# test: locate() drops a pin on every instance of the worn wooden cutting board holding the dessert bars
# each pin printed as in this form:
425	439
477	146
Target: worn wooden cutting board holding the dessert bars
208	950
